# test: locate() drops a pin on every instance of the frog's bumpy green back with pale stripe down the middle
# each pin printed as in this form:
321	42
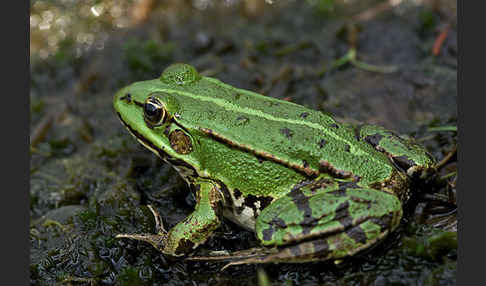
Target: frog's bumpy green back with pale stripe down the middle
302	138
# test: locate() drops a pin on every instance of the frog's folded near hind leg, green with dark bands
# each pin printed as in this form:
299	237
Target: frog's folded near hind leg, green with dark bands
327	224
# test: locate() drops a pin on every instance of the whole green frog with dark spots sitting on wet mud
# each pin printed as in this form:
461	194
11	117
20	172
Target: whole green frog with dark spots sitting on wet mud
309	187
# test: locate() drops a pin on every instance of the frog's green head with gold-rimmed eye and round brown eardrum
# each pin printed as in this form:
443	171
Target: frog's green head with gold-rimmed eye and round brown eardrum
150	109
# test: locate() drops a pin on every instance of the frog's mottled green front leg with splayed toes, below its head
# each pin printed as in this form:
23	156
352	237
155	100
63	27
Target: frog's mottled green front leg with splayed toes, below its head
193	230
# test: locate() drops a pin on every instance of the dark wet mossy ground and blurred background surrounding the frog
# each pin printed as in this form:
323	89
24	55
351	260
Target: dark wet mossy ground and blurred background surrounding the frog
89	180
